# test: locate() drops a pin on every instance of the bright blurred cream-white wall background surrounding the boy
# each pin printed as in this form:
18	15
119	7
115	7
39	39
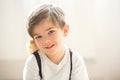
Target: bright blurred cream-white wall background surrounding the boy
94	33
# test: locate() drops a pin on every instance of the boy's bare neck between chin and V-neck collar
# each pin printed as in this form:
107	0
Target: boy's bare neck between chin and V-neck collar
57	57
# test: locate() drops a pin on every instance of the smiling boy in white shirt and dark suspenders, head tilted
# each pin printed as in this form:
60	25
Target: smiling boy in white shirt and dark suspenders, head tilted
51	59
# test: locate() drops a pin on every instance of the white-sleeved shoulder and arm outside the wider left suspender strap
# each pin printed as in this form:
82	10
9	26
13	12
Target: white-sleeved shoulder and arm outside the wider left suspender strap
30	71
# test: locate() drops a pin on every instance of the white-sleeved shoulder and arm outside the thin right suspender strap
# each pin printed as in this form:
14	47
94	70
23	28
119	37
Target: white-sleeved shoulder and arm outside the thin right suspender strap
79	67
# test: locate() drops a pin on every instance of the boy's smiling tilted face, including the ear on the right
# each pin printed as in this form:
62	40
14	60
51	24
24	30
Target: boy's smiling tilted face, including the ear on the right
49	38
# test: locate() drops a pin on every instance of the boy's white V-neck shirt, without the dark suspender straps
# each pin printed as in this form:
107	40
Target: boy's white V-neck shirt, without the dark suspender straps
52	71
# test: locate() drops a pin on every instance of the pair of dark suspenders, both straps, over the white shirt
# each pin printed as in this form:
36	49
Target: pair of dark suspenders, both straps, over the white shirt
37	56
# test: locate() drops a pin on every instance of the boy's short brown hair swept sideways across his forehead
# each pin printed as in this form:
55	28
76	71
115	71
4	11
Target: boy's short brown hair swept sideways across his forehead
46	11
